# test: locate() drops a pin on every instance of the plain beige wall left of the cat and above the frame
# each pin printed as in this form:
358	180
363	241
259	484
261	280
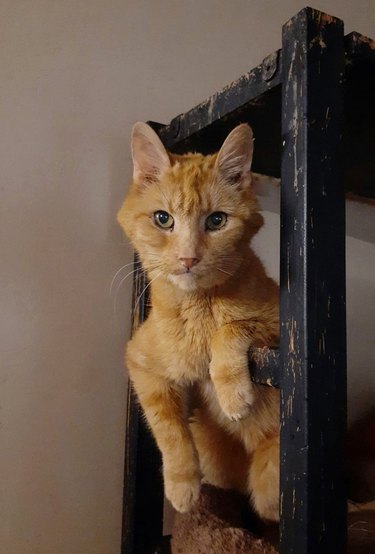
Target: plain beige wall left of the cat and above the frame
75	74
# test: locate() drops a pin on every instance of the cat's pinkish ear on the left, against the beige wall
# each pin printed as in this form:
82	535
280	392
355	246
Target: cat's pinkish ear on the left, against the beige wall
150	158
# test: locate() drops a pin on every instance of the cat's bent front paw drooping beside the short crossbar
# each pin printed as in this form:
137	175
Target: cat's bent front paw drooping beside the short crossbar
235	392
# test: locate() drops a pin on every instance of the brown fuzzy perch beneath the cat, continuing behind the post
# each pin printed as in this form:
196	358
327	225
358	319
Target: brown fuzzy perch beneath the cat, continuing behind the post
222	523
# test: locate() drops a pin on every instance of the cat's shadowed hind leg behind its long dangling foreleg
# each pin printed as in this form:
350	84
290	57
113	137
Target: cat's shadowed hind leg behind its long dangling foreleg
223	459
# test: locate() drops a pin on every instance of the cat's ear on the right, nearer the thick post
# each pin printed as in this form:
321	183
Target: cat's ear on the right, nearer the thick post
234	159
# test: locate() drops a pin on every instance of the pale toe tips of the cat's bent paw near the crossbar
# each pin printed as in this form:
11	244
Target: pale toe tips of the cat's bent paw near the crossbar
236	400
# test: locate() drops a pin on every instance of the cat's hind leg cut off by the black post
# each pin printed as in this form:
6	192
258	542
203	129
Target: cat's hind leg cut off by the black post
264	478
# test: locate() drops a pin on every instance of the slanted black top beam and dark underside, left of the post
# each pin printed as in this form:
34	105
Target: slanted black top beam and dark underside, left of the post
254	98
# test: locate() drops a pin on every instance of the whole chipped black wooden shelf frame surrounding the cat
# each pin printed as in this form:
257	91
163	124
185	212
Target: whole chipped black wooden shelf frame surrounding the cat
309	105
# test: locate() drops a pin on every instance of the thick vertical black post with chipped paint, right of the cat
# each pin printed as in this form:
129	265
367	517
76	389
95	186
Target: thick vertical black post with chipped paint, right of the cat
313	330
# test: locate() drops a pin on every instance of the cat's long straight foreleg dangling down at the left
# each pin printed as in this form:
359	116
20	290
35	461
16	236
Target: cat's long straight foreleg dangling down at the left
163	405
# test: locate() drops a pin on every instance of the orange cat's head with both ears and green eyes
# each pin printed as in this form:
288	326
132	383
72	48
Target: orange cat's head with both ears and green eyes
191	217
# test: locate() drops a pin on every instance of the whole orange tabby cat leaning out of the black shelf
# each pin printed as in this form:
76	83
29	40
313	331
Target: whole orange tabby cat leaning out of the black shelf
191	219
